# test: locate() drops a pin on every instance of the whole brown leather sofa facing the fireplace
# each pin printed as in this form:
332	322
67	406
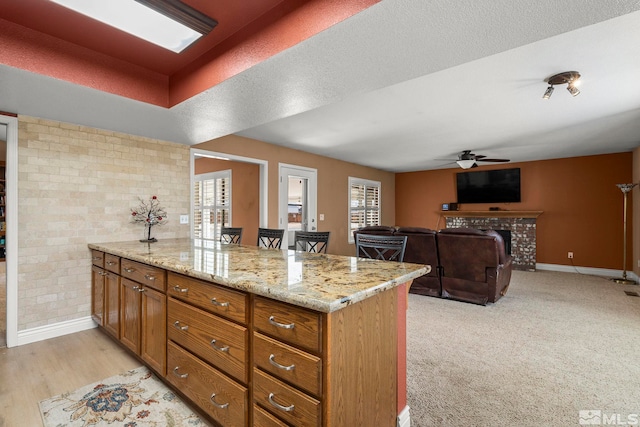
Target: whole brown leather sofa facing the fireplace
466	264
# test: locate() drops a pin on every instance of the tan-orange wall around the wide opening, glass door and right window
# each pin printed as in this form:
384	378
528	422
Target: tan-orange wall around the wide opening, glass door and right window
333	177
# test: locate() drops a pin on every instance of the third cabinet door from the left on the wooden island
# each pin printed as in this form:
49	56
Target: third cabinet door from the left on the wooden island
130	314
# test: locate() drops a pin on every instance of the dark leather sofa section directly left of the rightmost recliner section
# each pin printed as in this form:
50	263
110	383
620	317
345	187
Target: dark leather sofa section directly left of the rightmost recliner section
422	249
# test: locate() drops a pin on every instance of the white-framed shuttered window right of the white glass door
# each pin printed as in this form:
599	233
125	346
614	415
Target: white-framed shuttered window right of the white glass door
364	204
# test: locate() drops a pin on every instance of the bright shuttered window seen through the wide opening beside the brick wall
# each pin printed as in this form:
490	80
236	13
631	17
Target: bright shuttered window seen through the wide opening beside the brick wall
211	206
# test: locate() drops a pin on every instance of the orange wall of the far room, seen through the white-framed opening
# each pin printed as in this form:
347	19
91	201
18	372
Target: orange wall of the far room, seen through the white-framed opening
245	190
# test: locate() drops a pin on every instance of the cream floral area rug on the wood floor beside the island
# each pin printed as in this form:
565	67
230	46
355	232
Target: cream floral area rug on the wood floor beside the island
133	399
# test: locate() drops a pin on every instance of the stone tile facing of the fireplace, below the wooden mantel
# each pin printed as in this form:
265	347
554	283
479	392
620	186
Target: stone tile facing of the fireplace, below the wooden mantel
523	236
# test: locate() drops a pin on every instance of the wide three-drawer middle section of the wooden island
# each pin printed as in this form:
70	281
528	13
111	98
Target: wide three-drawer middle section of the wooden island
208	348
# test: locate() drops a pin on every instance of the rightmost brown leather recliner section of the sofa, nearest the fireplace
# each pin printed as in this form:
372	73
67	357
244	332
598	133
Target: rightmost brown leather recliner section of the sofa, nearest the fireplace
474	265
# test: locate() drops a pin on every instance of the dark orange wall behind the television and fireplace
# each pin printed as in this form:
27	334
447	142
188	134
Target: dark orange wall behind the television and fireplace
581	204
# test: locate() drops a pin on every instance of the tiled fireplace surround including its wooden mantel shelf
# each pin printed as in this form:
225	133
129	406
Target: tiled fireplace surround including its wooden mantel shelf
522	225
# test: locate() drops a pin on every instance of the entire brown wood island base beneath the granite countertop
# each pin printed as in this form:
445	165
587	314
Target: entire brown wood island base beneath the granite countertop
249	360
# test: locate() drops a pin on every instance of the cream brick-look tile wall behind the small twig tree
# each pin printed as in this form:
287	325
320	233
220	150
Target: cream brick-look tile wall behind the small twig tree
77	185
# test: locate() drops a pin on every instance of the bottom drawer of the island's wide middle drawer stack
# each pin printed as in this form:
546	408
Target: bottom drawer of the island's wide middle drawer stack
216	394
